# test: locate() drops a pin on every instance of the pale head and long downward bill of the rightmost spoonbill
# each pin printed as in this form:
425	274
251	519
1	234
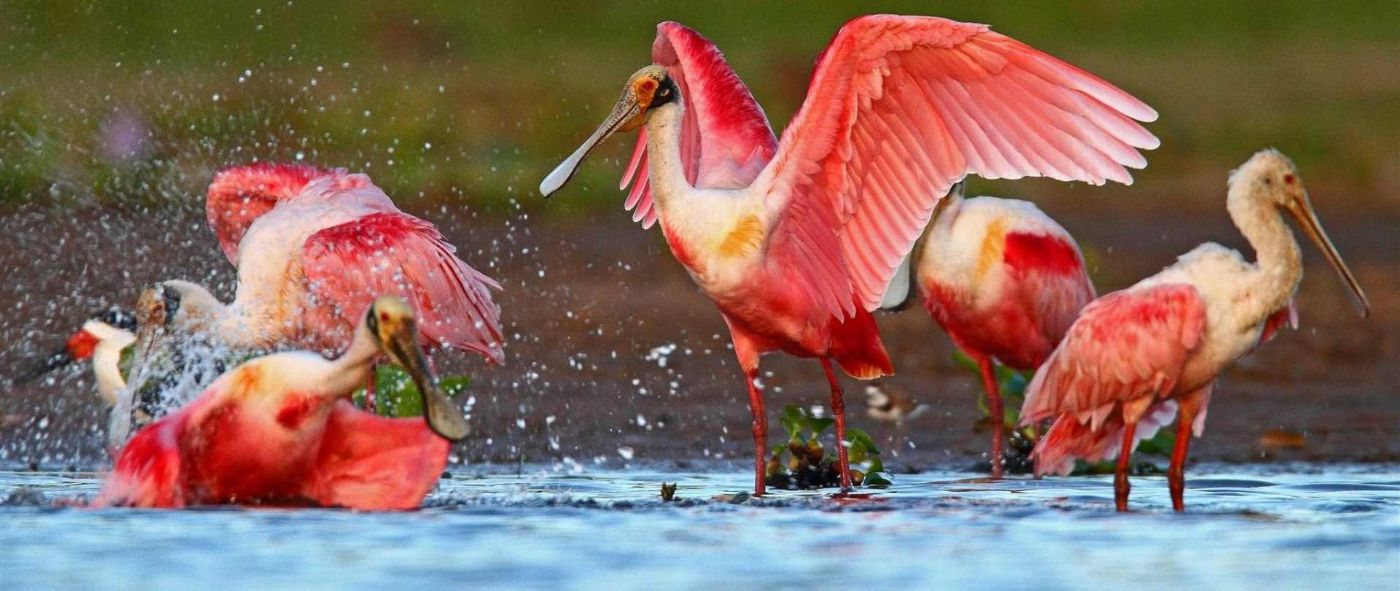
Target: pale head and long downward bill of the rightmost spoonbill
1272	179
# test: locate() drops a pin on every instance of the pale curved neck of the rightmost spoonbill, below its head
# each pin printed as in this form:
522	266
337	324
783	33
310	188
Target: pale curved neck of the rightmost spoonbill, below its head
1279	260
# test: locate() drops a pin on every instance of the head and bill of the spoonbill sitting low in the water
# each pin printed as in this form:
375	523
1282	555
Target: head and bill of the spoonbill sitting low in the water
391	321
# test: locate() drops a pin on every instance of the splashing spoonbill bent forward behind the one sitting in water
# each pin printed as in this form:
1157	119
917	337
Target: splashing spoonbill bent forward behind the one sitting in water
313	250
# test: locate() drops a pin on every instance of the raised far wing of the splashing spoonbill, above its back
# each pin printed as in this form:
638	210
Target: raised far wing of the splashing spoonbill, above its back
240	195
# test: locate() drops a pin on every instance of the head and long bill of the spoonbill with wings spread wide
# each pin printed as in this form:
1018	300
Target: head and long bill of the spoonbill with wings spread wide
646	93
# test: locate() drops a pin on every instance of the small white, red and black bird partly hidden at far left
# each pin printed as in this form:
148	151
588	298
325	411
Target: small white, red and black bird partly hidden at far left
103	340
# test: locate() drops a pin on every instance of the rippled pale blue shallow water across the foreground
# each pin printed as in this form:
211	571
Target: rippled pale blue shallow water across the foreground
1277	527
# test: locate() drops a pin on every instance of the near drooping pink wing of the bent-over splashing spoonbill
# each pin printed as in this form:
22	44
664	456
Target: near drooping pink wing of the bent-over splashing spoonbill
387	253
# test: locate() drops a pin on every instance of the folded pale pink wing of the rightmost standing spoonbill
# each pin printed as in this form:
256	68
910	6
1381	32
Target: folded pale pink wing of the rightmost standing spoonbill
1125	347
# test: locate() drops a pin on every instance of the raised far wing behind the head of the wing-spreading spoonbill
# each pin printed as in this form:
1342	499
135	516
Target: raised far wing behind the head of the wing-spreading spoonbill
726	139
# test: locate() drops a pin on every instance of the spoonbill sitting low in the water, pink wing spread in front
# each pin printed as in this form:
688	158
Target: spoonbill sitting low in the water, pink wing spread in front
279	431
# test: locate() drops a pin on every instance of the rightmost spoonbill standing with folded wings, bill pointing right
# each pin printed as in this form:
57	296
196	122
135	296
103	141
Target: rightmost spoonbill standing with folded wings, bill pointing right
1139	356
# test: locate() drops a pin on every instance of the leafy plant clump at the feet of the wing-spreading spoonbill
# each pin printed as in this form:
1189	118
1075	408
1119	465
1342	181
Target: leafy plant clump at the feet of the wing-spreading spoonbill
810	466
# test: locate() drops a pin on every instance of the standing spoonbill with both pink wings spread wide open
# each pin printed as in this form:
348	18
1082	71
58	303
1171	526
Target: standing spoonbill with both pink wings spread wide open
796	242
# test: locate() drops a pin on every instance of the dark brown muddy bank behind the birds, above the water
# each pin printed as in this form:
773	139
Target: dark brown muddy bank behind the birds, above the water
614	356
